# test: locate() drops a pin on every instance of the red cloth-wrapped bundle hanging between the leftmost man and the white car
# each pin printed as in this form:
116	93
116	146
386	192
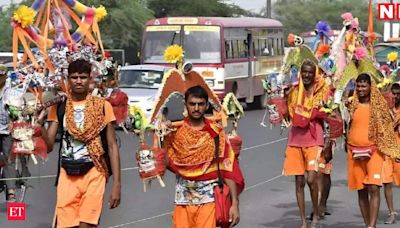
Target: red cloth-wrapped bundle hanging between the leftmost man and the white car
119	101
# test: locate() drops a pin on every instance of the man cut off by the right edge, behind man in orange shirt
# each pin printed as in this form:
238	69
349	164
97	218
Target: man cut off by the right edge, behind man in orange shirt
391	169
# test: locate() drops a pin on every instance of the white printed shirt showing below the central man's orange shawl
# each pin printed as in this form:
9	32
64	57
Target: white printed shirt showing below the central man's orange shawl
194	192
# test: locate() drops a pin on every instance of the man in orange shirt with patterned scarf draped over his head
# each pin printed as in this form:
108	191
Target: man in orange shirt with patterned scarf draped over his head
370	138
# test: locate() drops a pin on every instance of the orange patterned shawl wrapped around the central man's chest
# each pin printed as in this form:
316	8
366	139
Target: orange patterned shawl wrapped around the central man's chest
192	152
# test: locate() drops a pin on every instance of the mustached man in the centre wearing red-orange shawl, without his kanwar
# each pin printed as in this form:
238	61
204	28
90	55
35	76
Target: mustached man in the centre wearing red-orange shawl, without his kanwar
191	151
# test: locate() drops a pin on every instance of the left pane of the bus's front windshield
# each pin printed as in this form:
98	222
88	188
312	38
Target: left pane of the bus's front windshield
158	38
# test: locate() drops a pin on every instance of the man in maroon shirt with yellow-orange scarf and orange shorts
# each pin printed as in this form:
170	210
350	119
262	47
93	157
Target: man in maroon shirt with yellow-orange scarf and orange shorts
306	138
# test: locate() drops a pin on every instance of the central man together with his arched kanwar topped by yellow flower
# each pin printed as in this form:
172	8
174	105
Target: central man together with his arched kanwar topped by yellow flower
198	150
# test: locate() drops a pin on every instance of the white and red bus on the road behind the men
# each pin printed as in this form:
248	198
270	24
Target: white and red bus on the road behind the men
232	54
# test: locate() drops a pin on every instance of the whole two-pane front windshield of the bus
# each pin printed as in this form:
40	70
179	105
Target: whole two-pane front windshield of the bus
202	44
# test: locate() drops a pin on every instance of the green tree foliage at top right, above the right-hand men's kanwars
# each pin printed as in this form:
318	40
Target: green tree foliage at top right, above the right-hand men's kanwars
303	15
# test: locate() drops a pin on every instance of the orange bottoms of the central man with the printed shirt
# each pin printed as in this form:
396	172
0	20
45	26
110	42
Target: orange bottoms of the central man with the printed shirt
194	216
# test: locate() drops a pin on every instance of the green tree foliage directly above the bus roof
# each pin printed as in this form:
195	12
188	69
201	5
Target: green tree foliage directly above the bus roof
164	8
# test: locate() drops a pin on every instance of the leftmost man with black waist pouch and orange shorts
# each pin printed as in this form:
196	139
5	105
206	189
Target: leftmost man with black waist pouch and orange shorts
88	137
